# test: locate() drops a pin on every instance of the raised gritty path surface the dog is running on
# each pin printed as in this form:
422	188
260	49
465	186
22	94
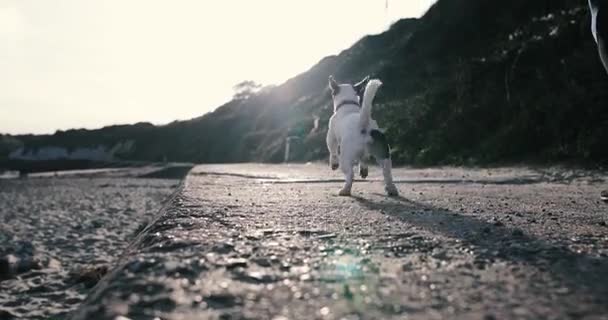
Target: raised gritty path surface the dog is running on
275	242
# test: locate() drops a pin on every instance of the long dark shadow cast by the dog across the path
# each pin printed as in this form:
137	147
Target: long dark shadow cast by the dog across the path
577	271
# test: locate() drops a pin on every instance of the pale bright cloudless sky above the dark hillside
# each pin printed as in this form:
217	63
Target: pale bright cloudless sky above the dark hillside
86	64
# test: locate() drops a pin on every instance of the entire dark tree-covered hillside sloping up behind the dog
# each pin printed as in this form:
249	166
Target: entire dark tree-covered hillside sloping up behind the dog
470	82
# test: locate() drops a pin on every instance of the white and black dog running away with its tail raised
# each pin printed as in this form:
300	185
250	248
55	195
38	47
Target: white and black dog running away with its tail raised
353	135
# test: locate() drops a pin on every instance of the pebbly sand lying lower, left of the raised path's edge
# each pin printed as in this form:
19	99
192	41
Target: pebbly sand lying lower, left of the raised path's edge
59	234
